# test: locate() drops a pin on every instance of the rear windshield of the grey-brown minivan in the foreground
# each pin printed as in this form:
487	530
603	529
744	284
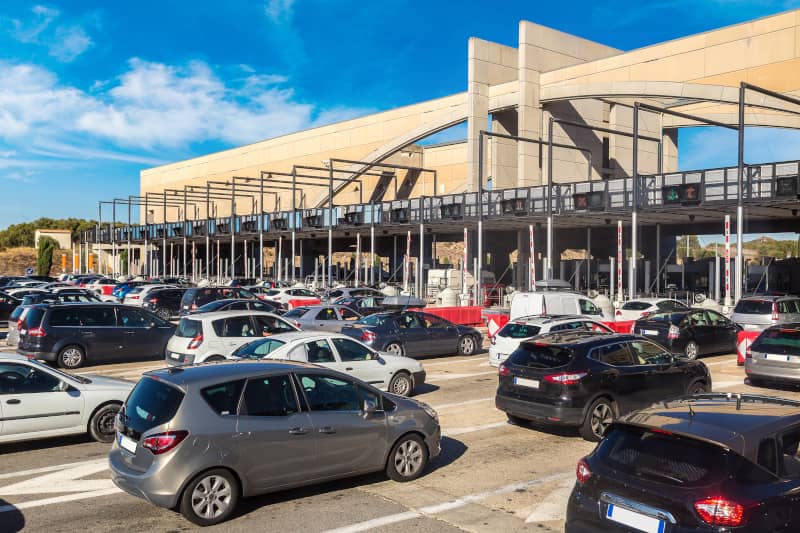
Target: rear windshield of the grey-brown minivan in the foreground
151	404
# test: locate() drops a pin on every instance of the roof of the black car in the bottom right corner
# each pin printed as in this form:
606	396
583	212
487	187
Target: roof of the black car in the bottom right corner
734	421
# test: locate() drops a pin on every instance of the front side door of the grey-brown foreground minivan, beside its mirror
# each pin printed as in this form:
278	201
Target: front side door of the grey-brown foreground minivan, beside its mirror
349	441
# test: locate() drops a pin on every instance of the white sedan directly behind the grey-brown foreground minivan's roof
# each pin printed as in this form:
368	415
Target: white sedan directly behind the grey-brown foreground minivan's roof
396	374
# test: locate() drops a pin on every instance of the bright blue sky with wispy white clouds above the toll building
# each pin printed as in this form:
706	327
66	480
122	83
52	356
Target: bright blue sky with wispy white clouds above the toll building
92	92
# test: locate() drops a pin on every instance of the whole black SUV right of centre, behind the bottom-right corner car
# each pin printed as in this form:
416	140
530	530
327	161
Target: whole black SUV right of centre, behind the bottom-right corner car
588	380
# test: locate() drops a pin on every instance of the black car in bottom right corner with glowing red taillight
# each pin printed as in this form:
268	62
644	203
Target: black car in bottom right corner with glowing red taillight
710	463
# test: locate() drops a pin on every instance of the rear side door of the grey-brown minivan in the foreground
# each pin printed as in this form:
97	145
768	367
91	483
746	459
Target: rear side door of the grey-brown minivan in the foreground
277	439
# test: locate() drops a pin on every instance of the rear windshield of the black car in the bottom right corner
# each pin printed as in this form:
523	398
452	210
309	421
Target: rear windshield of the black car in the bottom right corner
664	458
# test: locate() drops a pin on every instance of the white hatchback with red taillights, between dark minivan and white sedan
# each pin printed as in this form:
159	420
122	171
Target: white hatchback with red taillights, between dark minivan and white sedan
215	336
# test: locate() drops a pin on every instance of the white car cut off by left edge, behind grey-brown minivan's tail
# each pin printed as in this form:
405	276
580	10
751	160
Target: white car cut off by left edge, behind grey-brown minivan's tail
38	401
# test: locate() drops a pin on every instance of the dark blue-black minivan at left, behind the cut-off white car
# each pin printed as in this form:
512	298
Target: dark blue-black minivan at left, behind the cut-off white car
72	334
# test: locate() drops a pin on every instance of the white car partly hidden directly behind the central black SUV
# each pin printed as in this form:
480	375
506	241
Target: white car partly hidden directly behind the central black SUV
522	329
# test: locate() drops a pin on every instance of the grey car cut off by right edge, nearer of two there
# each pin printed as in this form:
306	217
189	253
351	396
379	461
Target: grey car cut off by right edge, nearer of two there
774	356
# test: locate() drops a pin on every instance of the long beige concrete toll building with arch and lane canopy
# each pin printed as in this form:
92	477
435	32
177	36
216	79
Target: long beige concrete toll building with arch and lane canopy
563	135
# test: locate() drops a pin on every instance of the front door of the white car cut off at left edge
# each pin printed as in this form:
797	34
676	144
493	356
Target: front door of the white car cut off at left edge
34	399
